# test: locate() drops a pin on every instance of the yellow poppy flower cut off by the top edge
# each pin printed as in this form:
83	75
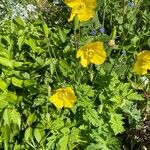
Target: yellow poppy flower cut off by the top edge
84	9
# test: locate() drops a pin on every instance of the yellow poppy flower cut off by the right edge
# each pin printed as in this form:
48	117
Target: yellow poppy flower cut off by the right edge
142	65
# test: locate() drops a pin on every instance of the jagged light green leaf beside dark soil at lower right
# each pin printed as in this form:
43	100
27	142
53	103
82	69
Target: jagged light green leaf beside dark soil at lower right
116	123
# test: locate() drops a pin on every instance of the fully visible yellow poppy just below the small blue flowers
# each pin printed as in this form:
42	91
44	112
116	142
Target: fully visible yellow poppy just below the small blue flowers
92	53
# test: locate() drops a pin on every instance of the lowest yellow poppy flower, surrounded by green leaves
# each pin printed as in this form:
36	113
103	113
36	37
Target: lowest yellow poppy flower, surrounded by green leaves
64	97
